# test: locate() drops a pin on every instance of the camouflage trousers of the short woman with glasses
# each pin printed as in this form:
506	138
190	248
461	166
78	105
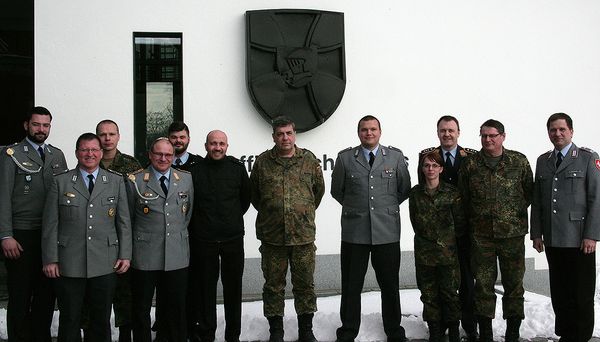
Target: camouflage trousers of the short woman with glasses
439	291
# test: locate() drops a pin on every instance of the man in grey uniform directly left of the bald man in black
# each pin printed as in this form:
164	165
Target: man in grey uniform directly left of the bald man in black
162	202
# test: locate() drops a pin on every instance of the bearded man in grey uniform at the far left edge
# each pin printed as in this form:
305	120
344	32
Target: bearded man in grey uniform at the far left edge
26	172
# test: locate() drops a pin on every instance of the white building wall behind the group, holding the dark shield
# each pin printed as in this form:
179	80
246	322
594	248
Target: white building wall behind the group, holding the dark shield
407	62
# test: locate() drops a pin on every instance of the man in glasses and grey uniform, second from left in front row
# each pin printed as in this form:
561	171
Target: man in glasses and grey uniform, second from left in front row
86	241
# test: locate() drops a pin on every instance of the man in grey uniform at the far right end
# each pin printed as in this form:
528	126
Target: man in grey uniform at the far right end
565	218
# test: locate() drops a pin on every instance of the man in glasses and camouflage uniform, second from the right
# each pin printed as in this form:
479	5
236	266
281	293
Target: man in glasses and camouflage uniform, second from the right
496	185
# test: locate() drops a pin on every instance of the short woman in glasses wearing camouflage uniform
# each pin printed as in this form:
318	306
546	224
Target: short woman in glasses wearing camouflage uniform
437	218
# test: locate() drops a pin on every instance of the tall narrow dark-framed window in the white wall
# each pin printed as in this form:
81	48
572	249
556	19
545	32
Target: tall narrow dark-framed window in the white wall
158	87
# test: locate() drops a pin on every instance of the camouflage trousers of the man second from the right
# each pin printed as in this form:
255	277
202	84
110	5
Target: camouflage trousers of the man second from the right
510	253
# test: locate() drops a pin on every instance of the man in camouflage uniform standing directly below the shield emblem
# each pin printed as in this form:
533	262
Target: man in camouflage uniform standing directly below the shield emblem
287	187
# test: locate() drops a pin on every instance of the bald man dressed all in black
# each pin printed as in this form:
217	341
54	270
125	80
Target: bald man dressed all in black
222	188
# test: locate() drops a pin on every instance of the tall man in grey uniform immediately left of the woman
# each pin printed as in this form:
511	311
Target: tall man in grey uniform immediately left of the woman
378	177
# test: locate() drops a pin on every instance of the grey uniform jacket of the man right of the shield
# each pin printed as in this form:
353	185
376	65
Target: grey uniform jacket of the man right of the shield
370	197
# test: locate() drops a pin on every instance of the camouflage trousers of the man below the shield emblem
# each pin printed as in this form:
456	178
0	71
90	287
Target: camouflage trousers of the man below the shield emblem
274	264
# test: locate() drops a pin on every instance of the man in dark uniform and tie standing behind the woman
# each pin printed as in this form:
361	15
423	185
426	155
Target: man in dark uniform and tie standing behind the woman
448	131
